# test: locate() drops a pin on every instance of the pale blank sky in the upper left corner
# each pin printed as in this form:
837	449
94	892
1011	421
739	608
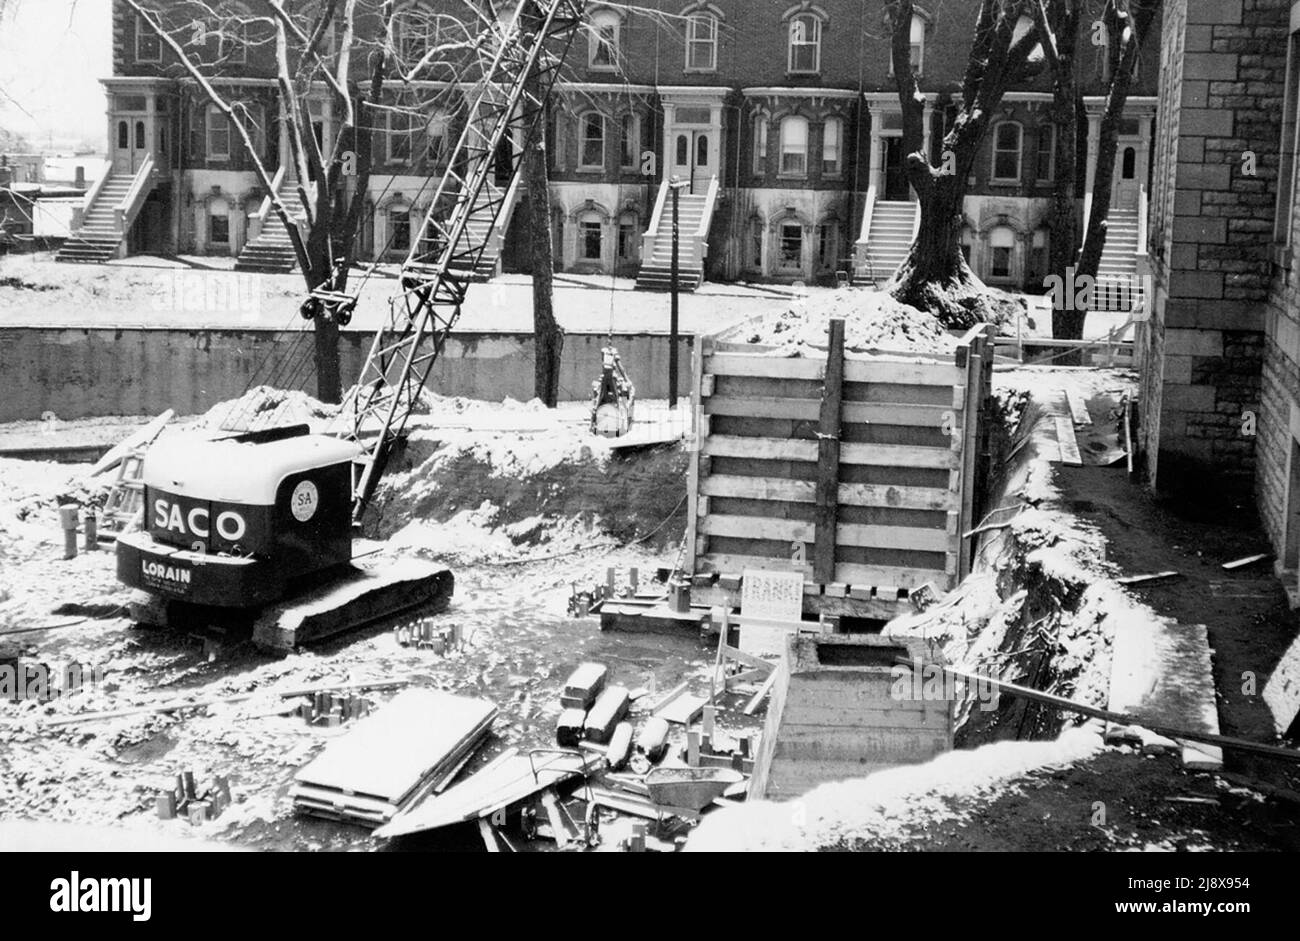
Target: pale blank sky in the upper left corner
53	55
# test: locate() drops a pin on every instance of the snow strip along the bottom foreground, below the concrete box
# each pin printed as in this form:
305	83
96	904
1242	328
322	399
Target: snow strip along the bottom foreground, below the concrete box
890	809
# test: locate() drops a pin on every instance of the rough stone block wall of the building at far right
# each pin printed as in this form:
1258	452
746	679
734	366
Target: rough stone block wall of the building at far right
1217	163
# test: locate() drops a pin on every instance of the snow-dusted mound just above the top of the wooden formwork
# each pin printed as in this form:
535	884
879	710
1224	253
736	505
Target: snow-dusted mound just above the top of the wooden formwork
873	322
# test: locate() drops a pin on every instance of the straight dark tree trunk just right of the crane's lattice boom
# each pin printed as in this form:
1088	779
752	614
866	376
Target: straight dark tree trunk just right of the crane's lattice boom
548	336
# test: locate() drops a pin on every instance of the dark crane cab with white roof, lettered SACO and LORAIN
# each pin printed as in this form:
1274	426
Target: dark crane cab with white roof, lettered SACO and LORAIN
233	522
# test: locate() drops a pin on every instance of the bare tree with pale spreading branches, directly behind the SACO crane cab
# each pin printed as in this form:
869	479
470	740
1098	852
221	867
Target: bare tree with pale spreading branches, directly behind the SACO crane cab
349	50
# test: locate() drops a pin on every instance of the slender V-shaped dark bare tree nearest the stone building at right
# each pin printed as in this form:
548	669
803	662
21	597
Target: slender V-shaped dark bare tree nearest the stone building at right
1060	25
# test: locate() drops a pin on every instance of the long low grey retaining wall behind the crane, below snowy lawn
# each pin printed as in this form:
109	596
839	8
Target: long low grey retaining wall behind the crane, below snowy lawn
90	372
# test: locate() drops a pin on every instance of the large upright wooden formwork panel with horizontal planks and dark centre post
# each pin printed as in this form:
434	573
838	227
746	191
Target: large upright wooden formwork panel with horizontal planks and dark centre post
863	471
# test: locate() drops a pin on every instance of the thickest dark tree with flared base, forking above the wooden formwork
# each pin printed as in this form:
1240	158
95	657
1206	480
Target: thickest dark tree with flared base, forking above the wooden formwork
935	276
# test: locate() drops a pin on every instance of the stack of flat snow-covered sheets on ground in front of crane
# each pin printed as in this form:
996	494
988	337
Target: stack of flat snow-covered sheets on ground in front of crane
413	747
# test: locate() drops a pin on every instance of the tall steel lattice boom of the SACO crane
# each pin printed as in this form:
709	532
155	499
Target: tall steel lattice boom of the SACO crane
517	81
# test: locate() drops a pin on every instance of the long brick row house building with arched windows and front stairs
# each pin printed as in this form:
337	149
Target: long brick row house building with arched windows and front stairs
781	114
